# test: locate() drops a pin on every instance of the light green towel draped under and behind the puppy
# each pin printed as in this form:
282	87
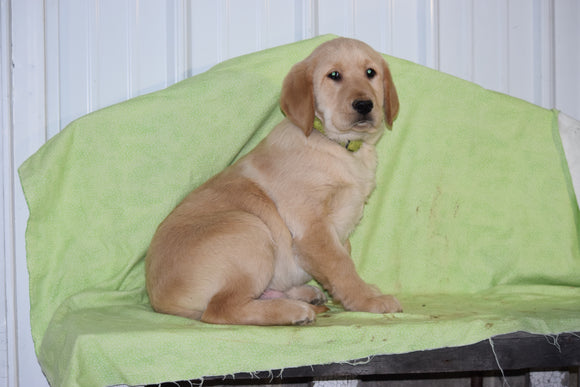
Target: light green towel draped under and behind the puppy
473	225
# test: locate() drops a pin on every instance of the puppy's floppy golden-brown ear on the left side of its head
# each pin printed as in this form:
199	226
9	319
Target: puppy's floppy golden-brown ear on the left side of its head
297	99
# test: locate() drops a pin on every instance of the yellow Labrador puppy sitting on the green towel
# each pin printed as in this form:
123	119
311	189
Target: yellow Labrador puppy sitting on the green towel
241	247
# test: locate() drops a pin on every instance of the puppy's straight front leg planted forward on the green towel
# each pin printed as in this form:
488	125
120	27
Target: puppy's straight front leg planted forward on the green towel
329	262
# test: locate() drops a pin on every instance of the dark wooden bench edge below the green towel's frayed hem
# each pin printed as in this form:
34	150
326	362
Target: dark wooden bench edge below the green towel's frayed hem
503	353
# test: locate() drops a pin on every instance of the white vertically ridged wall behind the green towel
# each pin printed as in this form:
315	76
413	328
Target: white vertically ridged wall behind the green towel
61	59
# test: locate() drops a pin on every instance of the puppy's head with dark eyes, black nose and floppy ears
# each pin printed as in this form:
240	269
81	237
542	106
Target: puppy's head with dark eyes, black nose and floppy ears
347	85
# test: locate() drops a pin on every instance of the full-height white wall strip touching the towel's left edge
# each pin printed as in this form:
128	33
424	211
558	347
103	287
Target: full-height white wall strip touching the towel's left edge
27	135
